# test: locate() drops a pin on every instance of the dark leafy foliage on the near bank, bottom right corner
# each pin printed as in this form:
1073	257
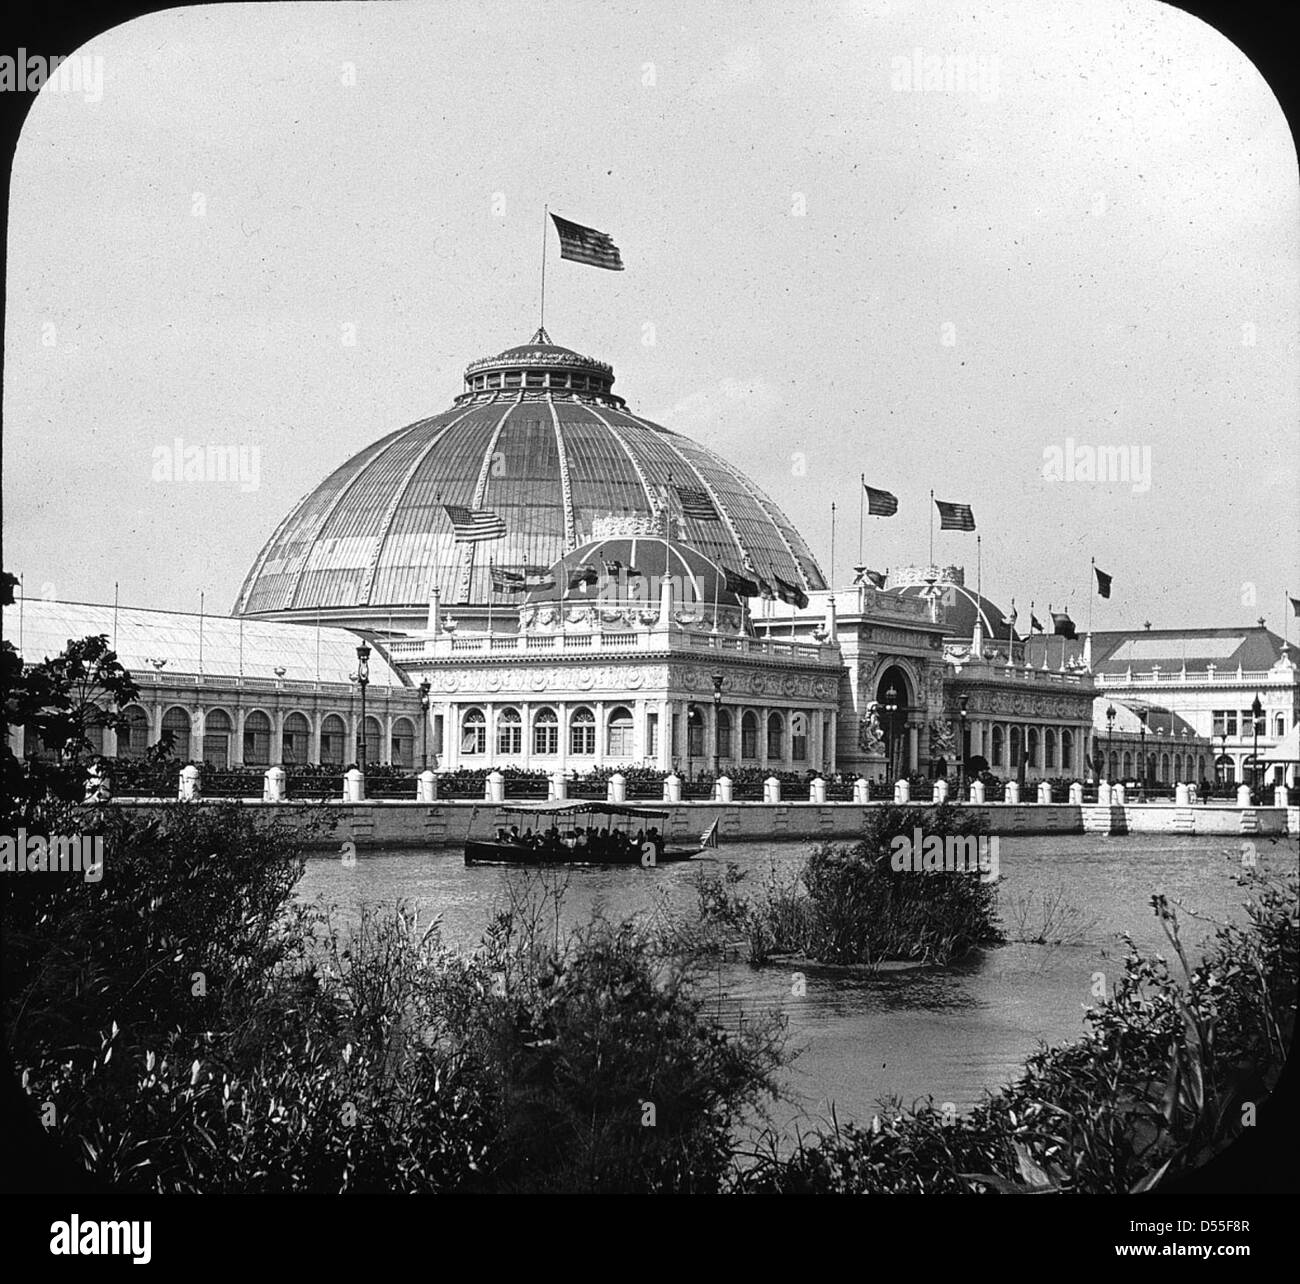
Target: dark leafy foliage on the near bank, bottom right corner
1168	1075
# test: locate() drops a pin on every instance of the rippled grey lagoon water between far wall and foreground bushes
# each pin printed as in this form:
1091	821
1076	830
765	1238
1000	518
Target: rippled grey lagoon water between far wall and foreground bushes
950	1034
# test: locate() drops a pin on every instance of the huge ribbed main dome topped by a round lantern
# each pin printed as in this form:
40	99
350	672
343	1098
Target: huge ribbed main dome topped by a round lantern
539	440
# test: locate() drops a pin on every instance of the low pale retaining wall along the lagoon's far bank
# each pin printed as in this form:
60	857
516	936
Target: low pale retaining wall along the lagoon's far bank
400	825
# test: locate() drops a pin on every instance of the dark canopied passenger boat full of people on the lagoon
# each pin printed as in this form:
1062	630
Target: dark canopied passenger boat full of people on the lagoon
549	835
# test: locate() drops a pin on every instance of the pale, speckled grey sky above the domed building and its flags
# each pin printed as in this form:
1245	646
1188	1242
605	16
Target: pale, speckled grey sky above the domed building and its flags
287	229
